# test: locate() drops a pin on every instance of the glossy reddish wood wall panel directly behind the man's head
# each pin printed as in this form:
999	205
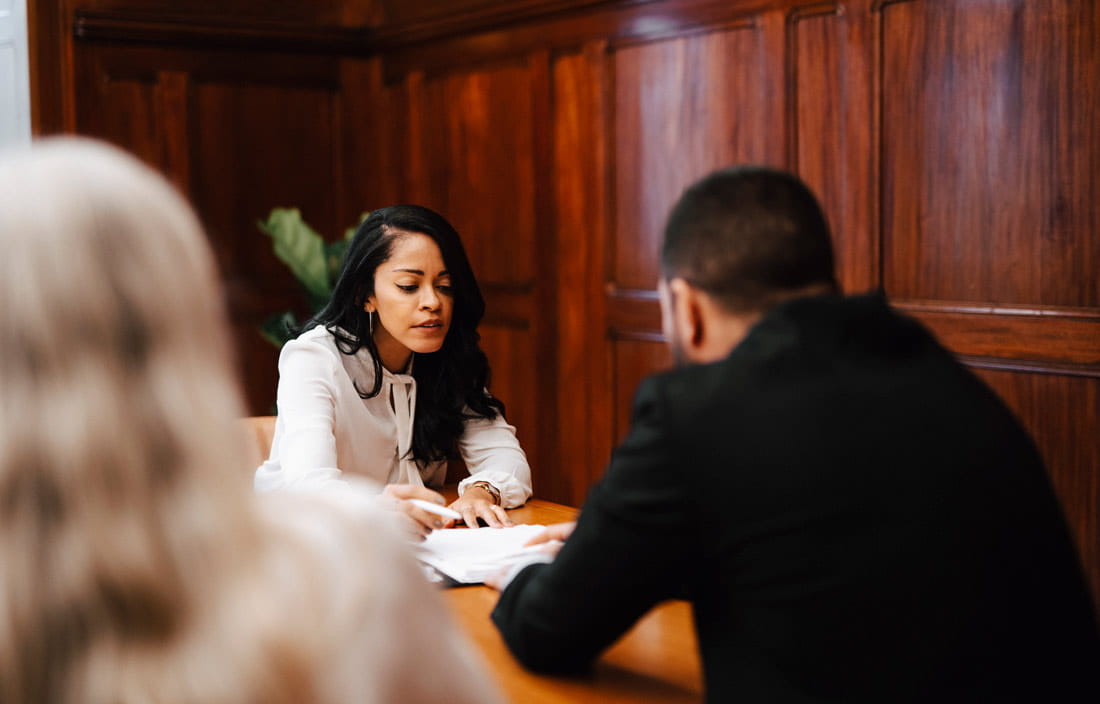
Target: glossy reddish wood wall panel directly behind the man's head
677	118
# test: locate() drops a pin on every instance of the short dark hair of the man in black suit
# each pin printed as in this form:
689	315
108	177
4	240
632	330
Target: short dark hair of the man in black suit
750	237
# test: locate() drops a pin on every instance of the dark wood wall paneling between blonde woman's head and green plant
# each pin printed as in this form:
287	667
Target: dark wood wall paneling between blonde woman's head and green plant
240	134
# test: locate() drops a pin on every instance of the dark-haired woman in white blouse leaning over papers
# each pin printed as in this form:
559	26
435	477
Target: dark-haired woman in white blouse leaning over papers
388	381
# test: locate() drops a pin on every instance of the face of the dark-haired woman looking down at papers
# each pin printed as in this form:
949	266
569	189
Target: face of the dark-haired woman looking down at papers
413	299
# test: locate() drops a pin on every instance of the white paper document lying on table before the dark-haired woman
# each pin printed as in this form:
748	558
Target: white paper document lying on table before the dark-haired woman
469	557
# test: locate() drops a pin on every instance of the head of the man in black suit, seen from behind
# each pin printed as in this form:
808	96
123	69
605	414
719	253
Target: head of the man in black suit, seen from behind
739	243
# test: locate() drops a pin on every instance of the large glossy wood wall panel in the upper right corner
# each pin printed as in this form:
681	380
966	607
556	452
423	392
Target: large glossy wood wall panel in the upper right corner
992	152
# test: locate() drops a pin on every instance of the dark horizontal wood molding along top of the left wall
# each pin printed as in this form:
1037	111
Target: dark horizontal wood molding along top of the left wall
189	31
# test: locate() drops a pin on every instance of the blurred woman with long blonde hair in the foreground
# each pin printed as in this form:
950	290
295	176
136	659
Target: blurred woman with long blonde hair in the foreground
137	564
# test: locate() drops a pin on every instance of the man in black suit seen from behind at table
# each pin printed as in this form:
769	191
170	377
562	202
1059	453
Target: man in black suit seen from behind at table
854	516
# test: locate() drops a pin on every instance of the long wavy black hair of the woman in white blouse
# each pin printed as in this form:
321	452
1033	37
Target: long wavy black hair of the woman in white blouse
449	381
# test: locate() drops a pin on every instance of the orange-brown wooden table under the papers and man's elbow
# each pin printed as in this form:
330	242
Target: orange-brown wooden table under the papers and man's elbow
656	662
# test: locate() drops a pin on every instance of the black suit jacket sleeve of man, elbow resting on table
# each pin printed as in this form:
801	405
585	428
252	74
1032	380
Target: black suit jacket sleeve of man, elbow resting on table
633	542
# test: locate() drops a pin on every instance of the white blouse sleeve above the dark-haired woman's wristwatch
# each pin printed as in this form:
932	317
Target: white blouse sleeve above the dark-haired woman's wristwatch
493	455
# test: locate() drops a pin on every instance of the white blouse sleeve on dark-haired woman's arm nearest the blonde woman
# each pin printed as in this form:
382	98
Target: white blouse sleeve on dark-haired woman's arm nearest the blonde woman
306	400
